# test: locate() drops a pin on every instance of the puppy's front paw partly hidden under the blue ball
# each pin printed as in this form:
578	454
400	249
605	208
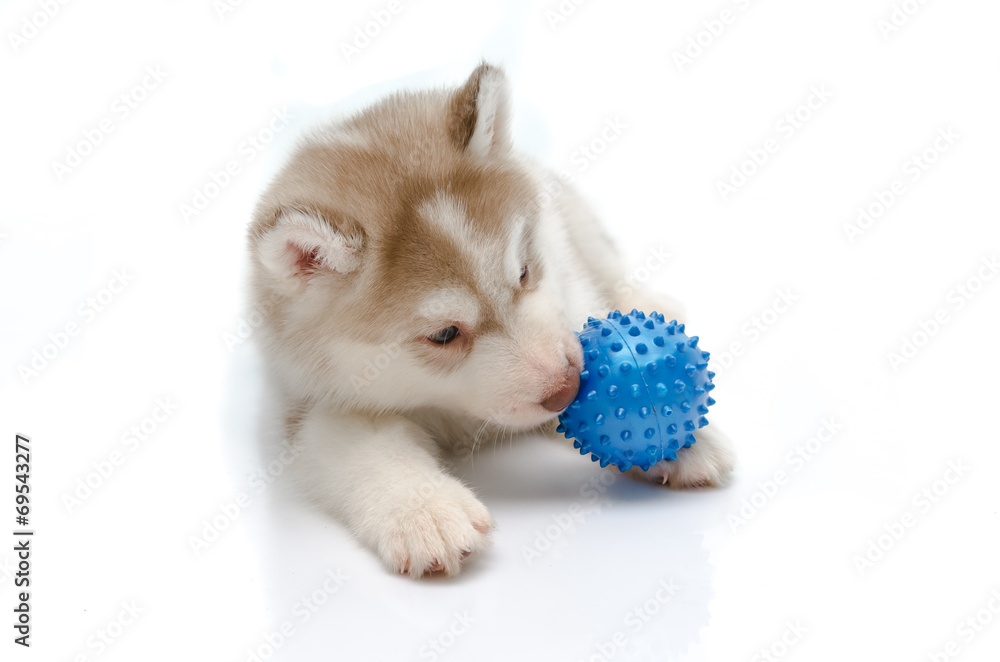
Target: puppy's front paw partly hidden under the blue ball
707	463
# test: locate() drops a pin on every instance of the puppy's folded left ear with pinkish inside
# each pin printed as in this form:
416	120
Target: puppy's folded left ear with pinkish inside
299	245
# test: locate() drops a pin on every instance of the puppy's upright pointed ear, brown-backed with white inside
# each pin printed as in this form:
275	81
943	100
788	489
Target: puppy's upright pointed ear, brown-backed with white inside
479	116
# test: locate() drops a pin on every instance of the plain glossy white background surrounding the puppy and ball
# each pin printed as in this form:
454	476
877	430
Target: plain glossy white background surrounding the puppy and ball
739	582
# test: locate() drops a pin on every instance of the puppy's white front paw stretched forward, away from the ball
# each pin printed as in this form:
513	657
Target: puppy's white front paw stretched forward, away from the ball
436	527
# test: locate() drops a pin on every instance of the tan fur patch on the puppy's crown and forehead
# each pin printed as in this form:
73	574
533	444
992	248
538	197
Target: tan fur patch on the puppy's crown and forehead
371	188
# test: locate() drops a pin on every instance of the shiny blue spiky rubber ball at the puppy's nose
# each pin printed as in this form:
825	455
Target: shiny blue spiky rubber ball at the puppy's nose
644	390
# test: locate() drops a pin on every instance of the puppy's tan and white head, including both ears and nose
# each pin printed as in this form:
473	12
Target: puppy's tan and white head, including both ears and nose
400	263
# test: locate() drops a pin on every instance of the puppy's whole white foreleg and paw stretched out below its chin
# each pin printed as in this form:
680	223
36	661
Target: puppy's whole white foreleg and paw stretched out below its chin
382	478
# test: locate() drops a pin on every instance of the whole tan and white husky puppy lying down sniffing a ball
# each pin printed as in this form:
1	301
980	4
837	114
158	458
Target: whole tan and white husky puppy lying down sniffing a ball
420	283
